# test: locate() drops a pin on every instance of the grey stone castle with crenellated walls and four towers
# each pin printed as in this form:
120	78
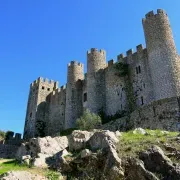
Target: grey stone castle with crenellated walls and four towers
139	78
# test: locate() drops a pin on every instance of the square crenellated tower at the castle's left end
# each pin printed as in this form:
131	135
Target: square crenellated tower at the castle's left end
36	108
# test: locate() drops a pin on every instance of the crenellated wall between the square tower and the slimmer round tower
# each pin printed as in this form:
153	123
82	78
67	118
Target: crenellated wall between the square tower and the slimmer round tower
56	115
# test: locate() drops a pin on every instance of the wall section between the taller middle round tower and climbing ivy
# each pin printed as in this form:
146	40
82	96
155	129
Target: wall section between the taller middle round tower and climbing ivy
115	92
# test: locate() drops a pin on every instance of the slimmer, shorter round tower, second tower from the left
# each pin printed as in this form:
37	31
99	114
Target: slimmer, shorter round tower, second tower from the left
74	90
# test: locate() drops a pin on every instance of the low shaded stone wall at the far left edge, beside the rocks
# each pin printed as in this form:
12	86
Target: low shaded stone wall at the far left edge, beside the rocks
8	151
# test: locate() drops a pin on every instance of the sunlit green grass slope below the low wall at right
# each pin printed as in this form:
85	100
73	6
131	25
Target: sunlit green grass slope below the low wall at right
131	144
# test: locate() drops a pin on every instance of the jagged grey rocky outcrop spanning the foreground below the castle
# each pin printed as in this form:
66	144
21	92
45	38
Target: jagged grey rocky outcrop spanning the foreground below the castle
94	155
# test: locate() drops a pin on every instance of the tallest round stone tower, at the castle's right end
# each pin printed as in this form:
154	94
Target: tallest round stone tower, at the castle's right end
164	64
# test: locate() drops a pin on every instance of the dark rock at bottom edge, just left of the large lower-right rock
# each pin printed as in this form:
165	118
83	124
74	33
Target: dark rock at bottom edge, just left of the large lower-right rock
135	170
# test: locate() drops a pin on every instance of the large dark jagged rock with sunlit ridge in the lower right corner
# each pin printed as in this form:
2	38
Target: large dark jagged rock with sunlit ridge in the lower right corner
155	161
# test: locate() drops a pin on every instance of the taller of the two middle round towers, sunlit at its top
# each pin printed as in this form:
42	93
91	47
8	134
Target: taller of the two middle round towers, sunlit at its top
96	62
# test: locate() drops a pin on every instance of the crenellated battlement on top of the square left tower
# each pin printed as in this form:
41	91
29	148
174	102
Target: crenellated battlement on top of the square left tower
46	81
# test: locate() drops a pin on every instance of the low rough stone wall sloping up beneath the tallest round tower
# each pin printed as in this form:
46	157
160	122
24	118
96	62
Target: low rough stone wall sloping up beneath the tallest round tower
162	114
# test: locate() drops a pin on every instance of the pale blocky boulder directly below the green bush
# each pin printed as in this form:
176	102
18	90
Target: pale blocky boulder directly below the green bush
78	139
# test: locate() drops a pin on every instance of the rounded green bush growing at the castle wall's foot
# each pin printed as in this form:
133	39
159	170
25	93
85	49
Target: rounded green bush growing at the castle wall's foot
88	121
